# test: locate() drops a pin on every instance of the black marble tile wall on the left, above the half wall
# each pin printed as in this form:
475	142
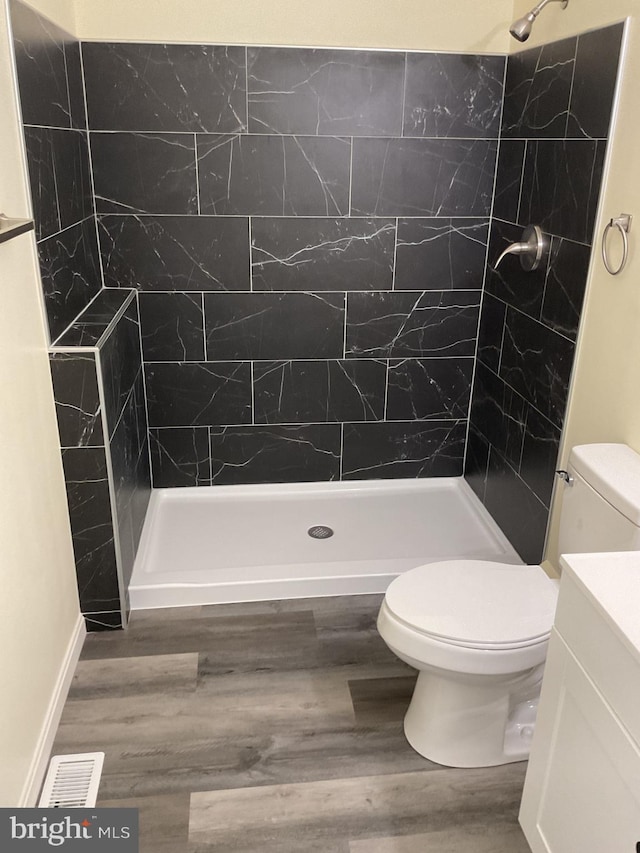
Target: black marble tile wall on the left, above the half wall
52	100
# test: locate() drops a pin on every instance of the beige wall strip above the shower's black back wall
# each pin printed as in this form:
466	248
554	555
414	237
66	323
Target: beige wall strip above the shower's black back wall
456	25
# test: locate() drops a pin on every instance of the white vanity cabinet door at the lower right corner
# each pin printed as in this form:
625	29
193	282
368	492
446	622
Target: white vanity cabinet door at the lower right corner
582	793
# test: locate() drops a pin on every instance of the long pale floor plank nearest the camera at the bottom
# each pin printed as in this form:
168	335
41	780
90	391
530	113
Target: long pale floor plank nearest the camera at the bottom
263	818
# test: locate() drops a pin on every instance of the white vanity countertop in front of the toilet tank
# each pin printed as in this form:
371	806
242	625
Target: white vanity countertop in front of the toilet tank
611	581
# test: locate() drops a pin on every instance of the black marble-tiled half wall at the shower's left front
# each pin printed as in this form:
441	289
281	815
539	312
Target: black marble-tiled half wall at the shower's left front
100	403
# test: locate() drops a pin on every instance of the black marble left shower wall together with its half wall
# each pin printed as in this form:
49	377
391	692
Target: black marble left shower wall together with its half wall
96	366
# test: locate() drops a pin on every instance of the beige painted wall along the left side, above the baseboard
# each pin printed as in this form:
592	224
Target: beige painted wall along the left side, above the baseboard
39	609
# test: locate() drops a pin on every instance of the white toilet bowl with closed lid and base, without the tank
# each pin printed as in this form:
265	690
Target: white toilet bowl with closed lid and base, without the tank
477	632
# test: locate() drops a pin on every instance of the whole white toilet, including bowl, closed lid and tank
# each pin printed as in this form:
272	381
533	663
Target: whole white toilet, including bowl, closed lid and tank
478	631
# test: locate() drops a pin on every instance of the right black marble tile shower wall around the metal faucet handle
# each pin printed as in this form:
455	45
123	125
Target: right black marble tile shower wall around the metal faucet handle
557	110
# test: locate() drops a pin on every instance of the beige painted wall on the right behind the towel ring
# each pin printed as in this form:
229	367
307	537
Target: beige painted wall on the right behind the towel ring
604	403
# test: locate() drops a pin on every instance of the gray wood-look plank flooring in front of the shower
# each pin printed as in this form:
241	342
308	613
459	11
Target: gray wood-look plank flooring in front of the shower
274	726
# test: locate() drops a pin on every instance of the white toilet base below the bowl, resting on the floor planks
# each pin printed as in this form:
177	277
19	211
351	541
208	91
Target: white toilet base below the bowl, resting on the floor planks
466	722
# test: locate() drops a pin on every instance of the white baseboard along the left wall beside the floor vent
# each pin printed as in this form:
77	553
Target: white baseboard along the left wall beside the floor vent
40	760
